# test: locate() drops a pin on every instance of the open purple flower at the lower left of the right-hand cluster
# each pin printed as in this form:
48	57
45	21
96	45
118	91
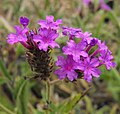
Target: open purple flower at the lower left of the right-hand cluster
67	69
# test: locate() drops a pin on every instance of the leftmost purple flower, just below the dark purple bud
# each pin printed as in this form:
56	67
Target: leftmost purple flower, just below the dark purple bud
19	36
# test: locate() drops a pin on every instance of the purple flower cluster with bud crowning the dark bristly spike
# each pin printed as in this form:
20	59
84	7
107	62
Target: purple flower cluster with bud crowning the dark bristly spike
43	38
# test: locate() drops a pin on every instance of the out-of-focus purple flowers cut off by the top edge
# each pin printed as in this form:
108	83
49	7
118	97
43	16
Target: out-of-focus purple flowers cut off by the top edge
102	4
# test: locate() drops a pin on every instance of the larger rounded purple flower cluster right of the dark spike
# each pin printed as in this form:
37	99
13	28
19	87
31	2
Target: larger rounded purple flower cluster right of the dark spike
83	56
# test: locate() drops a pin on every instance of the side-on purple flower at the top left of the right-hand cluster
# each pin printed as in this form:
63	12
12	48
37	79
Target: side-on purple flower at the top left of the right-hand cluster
71	32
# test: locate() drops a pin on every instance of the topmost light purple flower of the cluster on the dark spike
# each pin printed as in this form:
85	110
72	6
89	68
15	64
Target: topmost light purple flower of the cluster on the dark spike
49	23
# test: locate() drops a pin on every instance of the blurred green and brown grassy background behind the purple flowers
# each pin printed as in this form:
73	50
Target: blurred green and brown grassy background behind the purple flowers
18	96
